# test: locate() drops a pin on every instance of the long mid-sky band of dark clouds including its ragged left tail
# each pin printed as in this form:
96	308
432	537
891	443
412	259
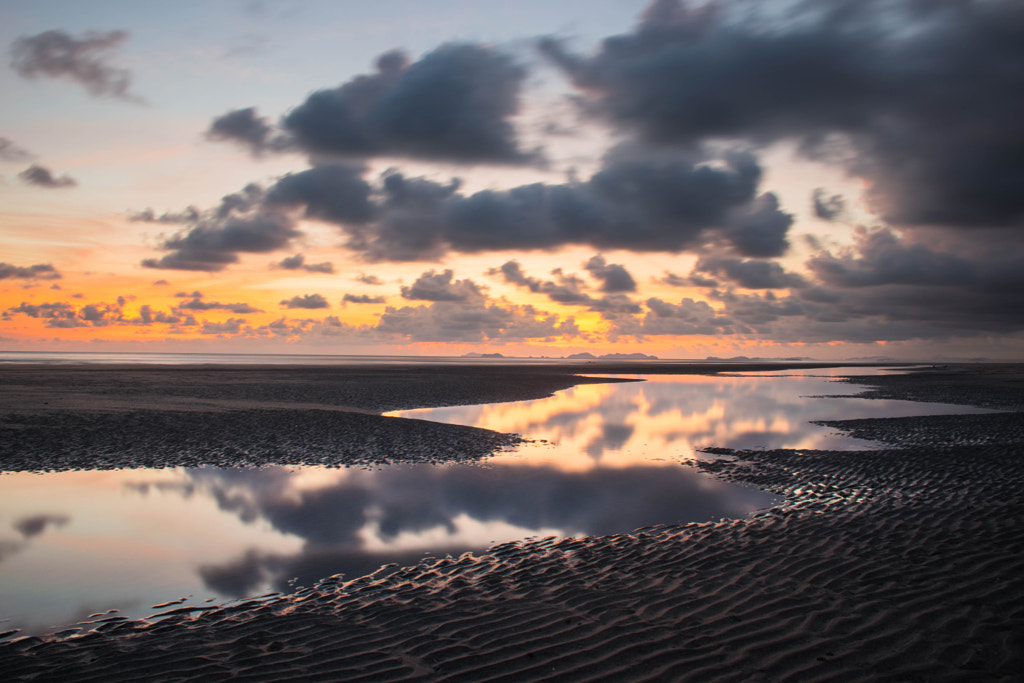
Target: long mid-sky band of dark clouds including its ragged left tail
641	201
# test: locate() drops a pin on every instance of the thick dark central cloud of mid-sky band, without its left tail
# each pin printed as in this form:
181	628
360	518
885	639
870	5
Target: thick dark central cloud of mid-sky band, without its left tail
641	203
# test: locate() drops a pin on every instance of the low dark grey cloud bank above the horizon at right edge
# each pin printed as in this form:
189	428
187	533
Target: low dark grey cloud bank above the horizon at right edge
886	286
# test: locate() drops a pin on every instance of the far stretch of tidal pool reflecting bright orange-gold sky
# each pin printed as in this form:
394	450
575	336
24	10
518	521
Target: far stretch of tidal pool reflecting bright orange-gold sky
625	424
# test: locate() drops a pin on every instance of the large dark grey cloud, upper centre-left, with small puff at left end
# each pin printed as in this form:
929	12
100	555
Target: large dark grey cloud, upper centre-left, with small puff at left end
455	104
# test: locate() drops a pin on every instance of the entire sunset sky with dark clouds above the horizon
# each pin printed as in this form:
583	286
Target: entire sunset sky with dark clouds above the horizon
834	180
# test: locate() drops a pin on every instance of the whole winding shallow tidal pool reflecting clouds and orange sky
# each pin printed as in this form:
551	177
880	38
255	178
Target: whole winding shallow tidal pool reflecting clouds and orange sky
606	459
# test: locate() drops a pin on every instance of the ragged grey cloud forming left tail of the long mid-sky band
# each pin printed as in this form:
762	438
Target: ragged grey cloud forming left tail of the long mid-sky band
241	225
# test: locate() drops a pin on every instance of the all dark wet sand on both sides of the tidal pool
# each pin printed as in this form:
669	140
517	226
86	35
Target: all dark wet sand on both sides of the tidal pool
902	565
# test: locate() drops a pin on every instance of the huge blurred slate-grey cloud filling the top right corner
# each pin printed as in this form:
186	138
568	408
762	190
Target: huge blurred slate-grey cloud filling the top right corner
924	100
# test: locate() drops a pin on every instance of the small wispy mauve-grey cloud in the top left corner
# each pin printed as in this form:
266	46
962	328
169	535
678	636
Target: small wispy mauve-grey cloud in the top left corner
59	55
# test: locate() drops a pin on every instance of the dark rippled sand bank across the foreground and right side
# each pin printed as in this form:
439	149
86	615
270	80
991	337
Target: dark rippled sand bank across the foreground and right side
902	565
